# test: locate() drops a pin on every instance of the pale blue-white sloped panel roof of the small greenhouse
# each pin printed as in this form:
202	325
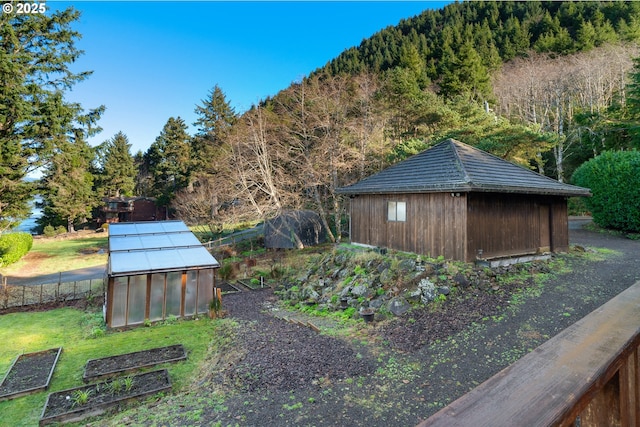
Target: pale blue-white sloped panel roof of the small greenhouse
155	246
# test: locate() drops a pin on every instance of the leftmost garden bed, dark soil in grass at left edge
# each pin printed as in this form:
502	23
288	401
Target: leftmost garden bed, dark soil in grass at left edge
29	373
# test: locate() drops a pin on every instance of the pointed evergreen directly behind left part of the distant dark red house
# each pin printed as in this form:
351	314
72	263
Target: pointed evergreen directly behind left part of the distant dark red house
117	174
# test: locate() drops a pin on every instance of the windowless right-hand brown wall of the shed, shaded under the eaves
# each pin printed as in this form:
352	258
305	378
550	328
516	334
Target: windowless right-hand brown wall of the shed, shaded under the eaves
514	224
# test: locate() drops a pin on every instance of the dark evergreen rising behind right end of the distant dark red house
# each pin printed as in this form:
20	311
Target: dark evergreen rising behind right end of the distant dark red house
169	159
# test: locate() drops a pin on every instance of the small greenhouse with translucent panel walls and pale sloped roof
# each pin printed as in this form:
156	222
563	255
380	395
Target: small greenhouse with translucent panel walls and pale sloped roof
155	270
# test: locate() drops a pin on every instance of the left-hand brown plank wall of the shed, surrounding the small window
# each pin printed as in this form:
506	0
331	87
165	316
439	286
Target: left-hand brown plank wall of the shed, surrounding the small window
435	223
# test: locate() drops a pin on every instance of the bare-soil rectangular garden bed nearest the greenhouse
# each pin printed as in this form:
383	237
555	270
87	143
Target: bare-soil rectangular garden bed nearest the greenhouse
113	365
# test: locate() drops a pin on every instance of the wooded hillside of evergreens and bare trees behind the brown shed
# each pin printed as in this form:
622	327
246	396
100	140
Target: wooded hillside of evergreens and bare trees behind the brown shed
548	85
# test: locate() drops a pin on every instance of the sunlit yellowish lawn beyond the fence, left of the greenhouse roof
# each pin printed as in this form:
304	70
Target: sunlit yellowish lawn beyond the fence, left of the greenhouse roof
55	254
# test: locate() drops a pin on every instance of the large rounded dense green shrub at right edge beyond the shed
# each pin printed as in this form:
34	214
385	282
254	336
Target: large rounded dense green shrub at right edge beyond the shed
614	180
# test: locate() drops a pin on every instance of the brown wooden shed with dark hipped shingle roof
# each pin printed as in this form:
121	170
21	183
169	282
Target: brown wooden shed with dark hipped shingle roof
462	203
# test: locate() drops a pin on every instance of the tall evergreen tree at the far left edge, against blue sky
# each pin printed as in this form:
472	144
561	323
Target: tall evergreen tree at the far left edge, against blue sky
36	51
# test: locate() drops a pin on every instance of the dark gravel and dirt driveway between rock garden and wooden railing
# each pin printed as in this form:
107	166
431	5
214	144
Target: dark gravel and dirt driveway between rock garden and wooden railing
282	374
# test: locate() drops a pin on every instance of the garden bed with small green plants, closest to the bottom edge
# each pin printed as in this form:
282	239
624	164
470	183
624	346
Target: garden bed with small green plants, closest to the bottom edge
78	403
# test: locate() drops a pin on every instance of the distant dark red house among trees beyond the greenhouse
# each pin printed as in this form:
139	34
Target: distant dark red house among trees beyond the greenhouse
128	209
